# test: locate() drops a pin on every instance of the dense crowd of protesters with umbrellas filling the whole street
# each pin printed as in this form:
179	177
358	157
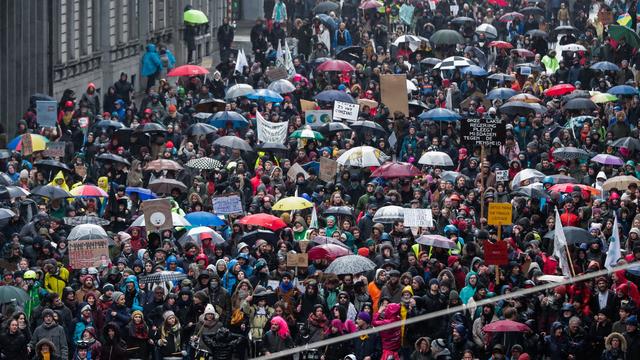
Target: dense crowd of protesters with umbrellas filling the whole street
230	292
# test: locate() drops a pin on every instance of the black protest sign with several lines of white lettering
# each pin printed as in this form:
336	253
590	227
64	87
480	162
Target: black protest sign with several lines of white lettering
489	132
